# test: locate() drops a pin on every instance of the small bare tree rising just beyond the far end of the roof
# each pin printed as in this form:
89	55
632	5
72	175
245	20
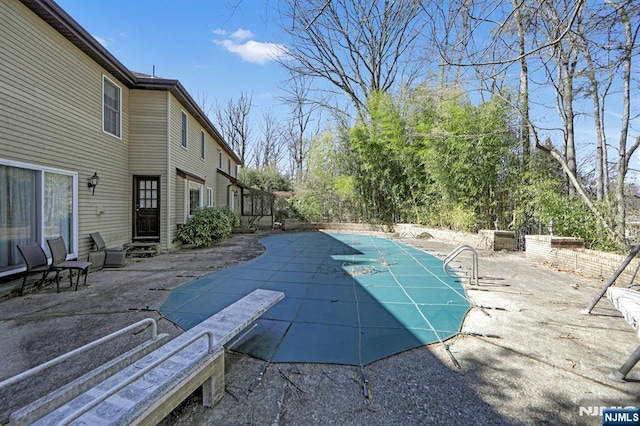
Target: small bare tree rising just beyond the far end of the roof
234	124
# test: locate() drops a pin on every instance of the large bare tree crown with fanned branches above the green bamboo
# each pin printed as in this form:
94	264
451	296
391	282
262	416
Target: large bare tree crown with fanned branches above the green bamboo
353	47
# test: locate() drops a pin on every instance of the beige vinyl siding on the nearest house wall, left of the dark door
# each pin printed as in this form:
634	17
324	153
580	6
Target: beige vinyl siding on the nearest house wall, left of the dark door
51	115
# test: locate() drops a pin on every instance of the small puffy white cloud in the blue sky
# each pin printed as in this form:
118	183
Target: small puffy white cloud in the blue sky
256	52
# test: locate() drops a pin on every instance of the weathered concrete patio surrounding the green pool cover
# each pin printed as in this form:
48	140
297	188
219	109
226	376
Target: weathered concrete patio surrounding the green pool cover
526	357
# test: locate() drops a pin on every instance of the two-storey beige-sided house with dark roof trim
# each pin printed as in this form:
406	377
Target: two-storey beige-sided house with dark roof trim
72	114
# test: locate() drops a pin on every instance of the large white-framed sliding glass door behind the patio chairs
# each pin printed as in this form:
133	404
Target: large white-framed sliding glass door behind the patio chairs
35	204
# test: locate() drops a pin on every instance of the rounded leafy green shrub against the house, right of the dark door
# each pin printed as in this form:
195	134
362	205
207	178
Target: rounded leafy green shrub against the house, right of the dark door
205	227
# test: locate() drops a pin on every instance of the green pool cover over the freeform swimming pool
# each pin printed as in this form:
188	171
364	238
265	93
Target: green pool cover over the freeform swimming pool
349	299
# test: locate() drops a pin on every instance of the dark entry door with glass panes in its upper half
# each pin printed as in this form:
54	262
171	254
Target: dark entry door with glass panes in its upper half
147	207
